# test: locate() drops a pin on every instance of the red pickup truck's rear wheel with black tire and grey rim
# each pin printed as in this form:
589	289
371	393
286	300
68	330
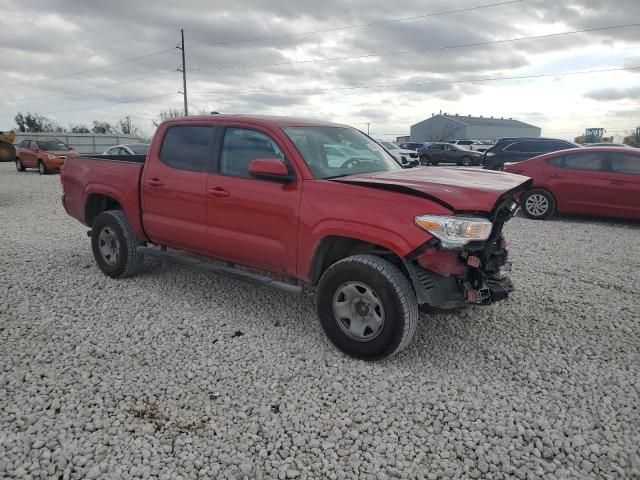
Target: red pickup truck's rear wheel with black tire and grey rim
125	260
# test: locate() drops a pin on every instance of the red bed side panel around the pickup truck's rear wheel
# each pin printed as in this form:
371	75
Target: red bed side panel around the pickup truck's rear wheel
119	180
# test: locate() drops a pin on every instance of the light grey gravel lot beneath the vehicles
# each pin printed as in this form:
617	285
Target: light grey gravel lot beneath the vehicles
180	374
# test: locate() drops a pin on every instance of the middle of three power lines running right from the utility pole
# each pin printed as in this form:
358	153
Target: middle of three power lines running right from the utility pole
421	50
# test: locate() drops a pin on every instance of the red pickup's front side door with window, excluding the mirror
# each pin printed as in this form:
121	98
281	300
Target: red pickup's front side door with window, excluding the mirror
252	222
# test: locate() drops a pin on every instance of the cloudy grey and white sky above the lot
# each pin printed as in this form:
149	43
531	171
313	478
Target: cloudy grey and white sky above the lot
372	64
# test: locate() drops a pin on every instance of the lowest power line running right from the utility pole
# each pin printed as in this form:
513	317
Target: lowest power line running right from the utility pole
419	84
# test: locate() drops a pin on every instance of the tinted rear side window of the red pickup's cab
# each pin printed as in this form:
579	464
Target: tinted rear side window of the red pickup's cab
188	147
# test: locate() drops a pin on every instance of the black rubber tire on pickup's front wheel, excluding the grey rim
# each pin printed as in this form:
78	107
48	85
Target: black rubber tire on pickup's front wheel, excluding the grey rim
391	289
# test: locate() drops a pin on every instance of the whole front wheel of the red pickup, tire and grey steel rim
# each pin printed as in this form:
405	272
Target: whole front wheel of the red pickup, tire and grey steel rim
367	307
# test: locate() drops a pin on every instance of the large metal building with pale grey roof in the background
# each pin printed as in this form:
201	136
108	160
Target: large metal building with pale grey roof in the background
444	127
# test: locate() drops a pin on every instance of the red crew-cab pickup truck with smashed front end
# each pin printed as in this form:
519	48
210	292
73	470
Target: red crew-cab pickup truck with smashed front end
262	193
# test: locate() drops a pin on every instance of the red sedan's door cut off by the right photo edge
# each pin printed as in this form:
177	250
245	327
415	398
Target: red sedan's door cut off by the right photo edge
625	183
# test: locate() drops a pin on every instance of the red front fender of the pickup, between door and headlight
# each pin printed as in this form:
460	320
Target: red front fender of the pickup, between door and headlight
372	215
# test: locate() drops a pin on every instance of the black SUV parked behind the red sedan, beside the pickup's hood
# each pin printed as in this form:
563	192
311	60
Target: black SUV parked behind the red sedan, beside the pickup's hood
512	149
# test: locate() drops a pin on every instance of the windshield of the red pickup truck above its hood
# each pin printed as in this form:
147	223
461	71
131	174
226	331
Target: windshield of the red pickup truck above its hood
333	152
